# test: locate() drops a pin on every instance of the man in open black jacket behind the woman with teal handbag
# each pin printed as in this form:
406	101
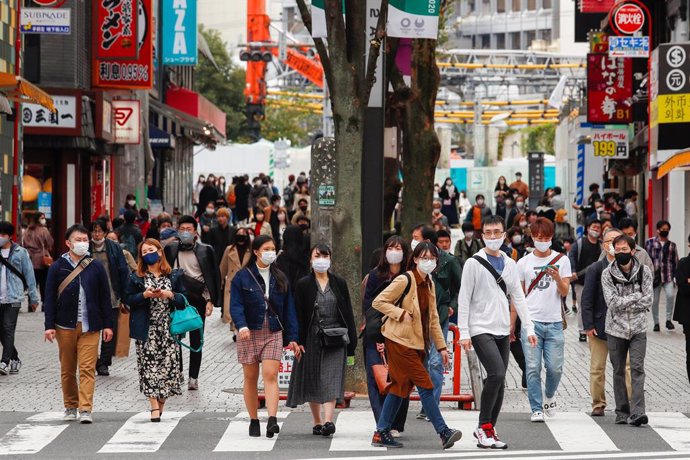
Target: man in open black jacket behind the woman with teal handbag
201	280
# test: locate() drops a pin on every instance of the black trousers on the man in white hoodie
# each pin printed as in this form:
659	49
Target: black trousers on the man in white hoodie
493	352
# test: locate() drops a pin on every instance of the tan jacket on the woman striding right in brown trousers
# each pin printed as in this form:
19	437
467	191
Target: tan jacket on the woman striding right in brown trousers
404	332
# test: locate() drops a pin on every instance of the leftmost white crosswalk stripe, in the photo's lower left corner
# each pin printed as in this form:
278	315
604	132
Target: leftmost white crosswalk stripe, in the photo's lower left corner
31	438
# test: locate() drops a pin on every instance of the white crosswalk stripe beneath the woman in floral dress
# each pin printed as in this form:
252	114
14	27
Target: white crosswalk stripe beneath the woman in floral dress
139	434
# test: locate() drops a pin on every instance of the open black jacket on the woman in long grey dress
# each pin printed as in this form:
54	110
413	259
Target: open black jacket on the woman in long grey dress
305	298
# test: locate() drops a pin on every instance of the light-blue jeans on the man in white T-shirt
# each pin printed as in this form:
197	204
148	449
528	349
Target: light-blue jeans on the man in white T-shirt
550	345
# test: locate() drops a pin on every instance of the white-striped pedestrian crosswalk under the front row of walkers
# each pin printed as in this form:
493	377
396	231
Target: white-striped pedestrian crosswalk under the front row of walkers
567	433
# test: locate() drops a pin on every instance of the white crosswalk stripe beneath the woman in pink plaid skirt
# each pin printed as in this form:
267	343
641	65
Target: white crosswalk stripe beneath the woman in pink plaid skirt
236	437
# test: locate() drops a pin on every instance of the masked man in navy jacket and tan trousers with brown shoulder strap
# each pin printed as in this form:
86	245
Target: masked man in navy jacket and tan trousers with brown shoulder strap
78	306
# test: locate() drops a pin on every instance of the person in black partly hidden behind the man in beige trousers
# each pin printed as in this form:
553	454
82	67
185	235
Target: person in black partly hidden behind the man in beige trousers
583	253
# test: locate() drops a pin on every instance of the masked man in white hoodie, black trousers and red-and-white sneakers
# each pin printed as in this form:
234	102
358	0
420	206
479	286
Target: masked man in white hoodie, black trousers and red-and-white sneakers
488	279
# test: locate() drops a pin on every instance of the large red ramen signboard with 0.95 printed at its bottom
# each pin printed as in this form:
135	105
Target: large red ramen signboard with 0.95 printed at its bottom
127	62
